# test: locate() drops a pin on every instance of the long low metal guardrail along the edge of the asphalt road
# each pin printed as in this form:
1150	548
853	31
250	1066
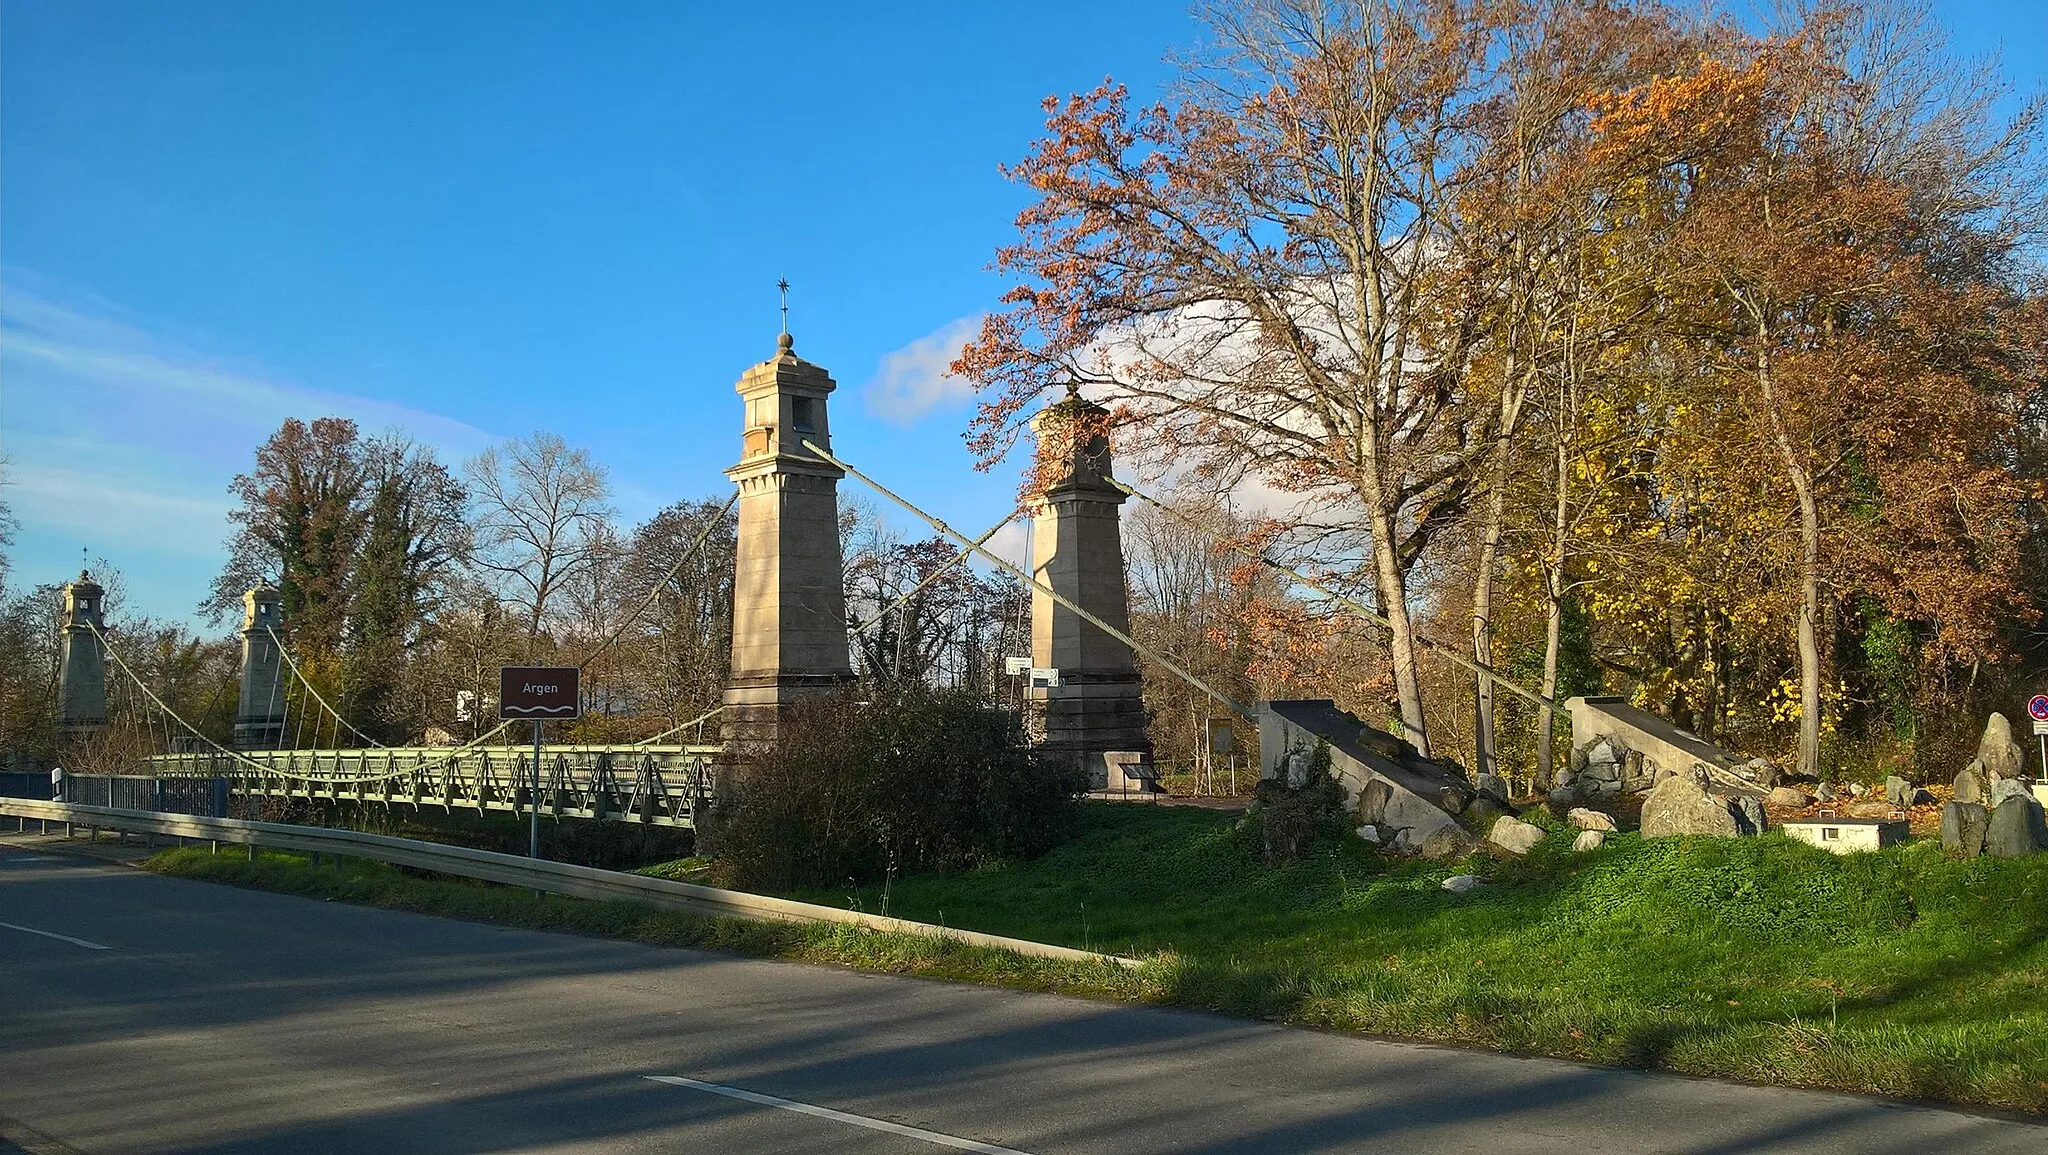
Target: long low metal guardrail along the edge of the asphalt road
515	871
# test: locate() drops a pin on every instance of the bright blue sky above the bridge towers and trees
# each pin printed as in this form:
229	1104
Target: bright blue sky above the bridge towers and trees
484	218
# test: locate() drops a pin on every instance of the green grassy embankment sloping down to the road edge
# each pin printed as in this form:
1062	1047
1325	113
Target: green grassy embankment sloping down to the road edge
1758	959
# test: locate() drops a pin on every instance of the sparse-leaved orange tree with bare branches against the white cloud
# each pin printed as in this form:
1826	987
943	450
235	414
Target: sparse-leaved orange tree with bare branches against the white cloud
1273	277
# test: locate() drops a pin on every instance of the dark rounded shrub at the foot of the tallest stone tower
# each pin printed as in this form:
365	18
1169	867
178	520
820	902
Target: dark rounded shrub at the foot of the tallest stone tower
910	779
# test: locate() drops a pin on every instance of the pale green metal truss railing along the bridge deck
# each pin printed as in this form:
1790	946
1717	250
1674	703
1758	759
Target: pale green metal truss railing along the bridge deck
658	785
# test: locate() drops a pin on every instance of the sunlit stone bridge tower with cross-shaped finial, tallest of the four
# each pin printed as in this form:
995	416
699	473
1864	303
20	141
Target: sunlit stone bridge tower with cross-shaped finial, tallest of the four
790	603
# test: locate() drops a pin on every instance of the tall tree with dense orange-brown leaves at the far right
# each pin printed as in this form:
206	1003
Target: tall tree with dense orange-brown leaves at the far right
1836	284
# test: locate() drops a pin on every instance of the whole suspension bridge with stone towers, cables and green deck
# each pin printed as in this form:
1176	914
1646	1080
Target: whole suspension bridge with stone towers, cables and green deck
792	640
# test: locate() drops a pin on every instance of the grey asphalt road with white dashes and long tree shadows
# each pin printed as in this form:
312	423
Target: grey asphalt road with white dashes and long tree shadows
185	1017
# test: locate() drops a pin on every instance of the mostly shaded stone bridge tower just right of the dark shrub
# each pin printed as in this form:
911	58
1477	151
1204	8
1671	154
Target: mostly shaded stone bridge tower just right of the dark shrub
1078	550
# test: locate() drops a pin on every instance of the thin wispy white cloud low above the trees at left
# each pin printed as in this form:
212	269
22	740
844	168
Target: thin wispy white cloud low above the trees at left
124	439
